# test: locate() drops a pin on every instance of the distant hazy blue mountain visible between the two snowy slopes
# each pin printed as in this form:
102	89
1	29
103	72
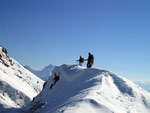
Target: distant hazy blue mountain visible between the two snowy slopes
43	73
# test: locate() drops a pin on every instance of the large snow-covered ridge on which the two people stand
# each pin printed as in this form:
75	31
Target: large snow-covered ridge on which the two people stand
75	89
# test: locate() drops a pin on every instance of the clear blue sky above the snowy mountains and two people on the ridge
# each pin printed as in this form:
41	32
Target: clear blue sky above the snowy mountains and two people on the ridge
42	32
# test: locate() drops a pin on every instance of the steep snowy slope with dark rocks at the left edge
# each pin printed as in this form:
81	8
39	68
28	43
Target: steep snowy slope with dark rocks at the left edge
18	86
